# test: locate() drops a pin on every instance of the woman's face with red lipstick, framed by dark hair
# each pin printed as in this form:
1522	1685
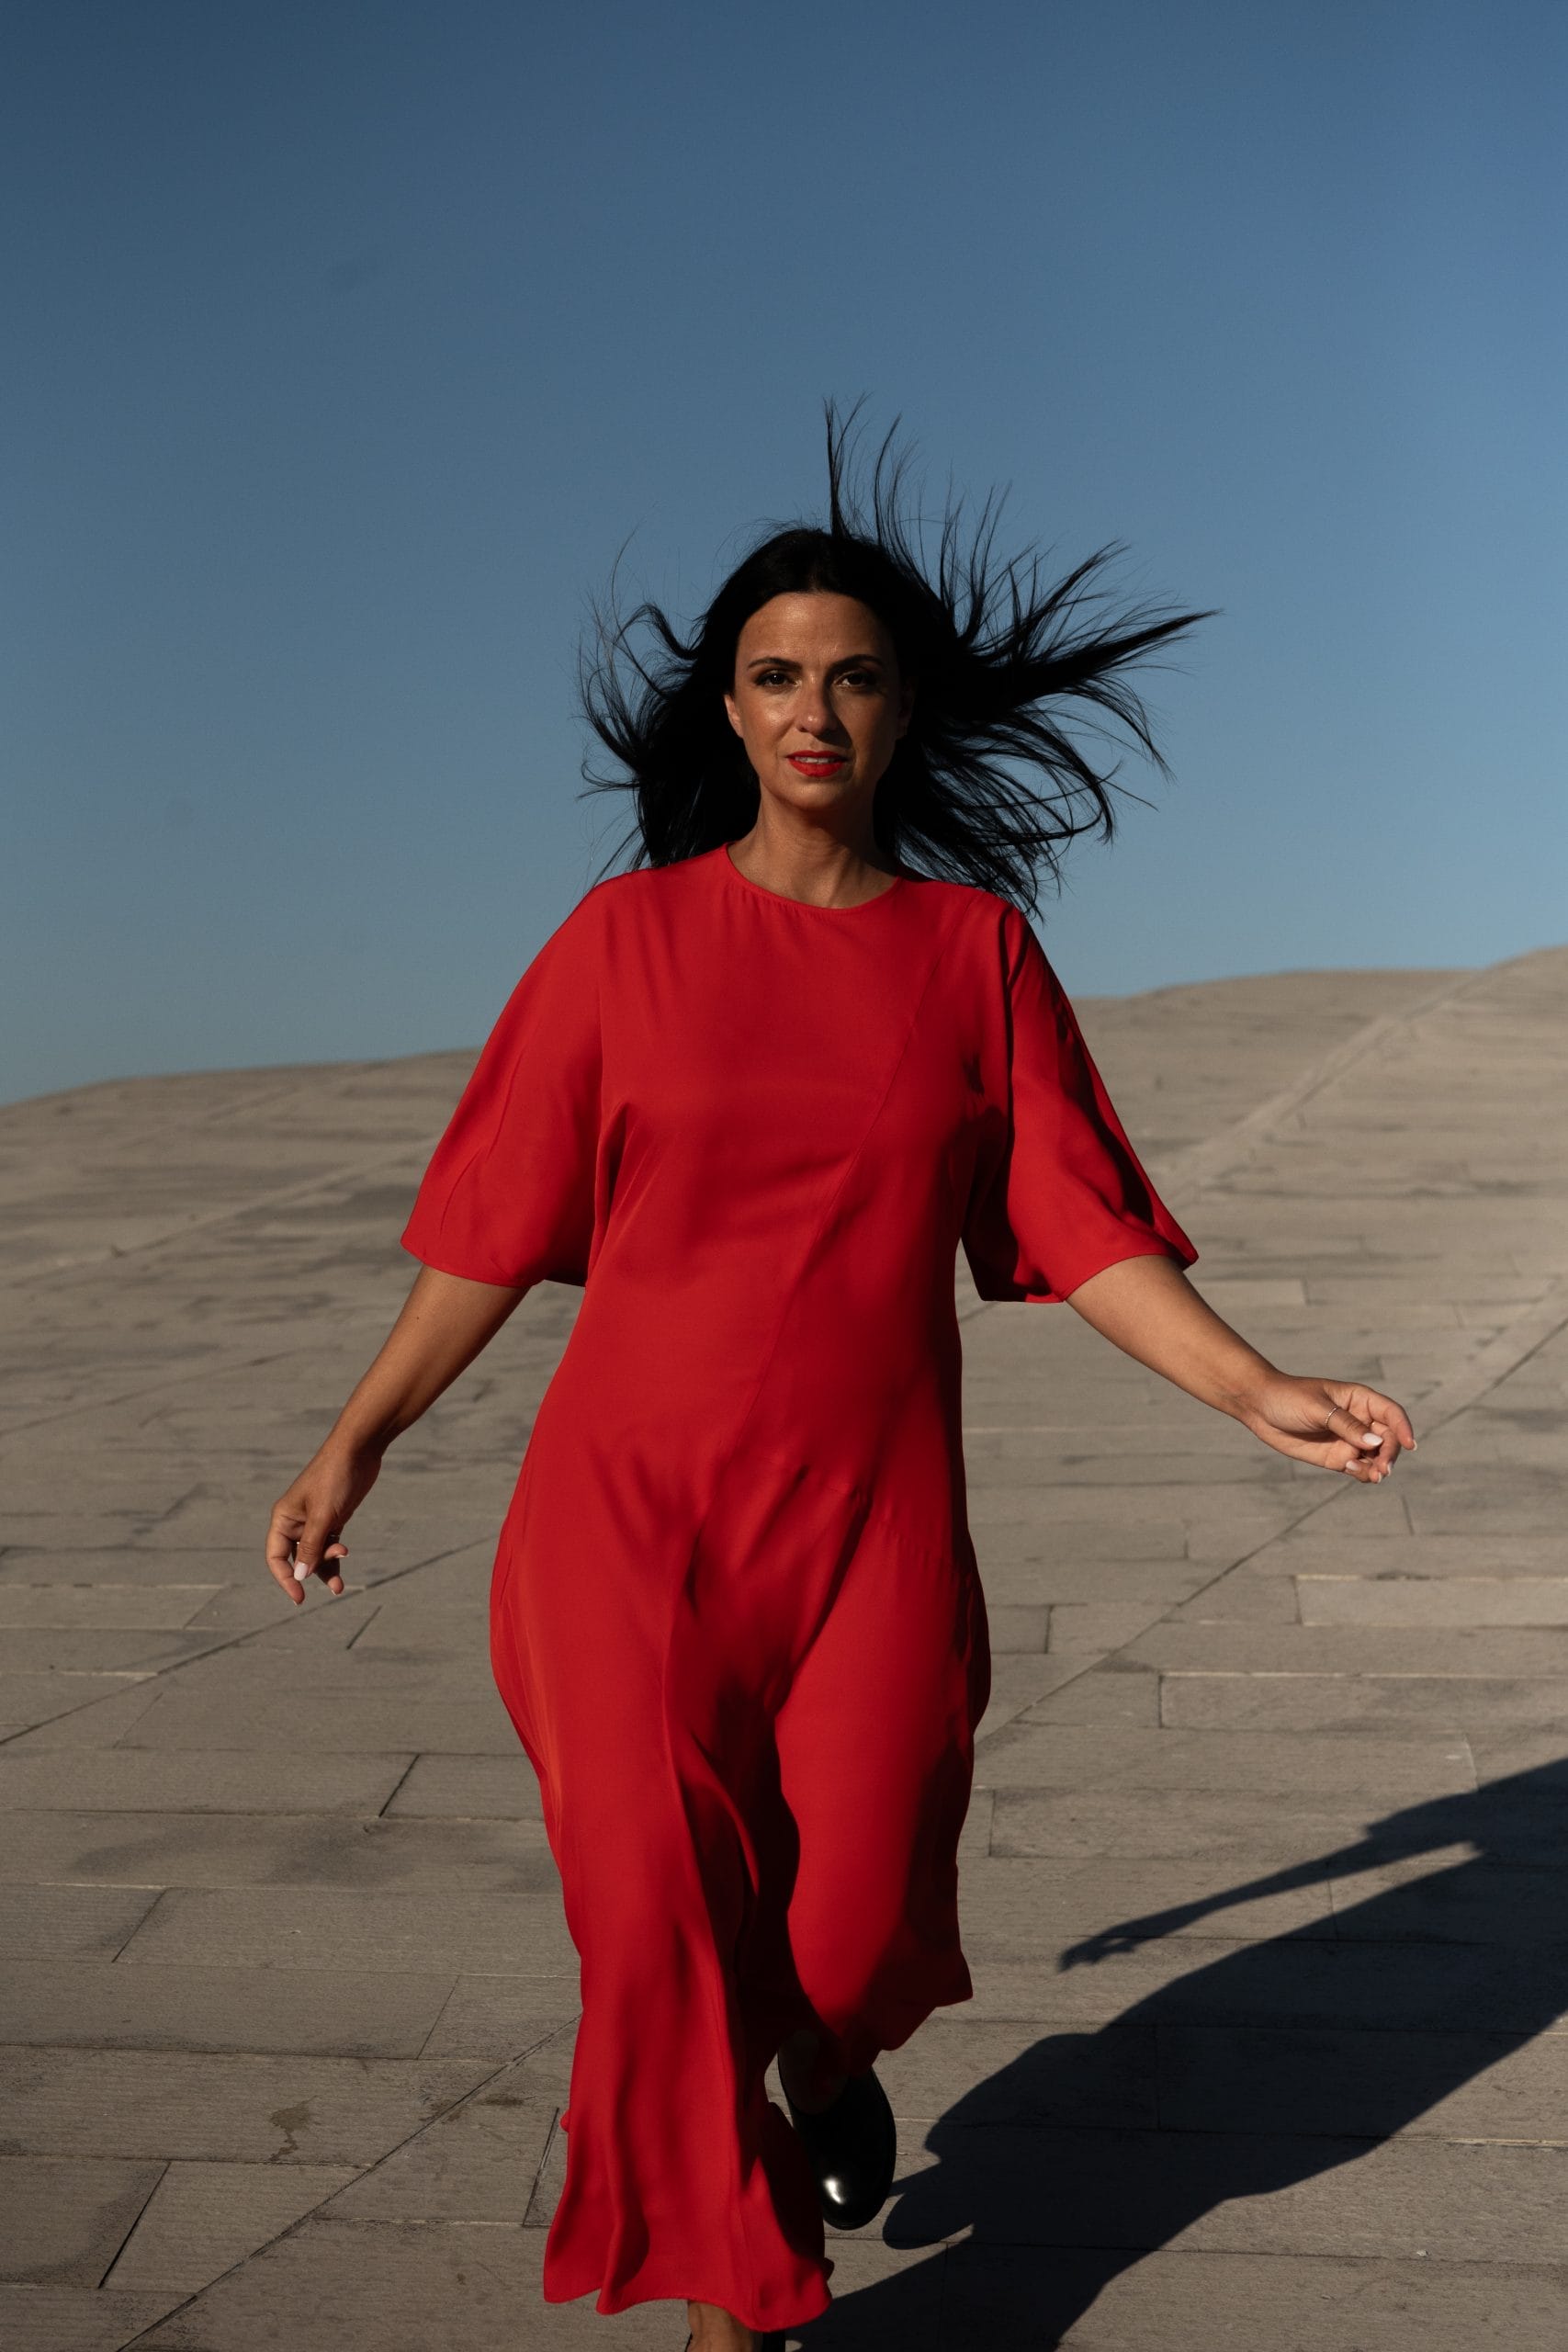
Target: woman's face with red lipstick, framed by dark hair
819	702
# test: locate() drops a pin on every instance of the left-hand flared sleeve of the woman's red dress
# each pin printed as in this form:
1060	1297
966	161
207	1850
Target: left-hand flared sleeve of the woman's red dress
509	1194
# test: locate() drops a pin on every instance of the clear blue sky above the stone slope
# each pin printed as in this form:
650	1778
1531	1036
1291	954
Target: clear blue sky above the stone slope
351	340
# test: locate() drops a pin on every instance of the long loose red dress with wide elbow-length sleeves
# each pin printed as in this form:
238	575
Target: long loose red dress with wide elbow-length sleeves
737	1615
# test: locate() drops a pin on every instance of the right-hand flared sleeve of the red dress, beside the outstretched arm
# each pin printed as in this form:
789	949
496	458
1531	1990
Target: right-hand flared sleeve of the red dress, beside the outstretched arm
1064	1196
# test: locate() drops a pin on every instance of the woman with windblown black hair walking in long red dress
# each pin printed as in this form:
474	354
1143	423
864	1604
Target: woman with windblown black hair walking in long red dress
753	1095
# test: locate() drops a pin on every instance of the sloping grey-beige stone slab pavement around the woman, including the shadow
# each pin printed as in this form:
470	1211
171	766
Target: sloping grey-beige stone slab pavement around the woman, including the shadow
1266	1878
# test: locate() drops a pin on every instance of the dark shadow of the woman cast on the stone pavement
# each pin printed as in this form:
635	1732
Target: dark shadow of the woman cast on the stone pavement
1259	2071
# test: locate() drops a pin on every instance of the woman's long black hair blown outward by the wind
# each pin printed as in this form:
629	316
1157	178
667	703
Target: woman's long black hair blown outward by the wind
1010	671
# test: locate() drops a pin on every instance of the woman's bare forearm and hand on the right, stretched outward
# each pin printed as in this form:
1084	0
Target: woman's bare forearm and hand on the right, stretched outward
1148	1309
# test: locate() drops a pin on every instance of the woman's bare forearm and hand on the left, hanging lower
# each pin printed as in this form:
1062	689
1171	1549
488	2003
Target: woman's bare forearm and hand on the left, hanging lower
443	1325
